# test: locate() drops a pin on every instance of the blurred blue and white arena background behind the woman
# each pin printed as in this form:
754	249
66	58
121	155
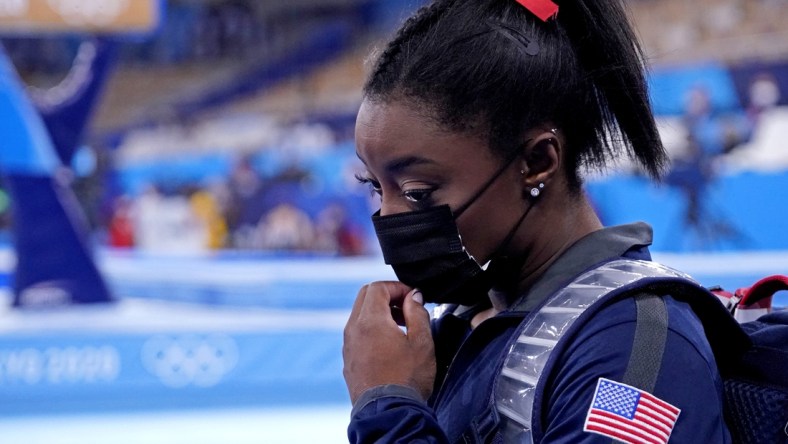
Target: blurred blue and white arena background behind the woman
202	154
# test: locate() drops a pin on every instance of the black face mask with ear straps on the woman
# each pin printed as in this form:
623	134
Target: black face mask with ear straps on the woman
426	252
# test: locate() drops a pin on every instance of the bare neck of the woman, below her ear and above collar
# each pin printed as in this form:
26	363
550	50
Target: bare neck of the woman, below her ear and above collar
559	227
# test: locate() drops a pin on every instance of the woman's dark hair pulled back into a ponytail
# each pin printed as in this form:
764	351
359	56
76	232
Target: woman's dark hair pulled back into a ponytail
492	68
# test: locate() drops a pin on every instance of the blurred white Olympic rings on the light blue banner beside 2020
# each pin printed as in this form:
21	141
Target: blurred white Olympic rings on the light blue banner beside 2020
186	360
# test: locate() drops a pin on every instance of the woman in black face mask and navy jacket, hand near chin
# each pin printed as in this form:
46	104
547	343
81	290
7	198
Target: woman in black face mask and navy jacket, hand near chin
477	123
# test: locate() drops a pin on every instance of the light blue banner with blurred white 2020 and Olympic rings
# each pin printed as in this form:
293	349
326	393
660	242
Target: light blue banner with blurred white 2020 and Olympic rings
104	371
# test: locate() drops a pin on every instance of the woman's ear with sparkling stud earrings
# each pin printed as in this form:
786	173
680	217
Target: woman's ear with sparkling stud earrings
541	158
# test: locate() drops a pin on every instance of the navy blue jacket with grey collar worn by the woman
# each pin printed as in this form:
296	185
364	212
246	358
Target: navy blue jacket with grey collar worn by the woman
469	363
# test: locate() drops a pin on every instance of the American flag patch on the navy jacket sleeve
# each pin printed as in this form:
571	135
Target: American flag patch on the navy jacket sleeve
629	414
